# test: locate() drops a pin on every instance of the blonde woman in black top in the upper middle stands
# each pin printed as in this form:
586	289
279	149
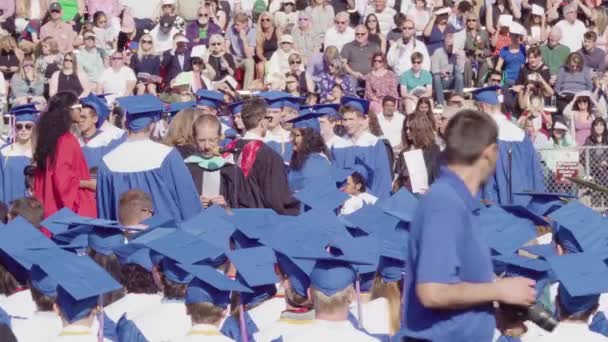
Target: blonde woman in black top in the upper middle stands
267	42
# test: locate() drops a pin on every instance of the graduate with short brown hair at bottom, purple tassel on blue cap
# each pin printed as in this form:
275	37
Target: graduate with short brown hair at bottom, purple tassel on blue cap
207	301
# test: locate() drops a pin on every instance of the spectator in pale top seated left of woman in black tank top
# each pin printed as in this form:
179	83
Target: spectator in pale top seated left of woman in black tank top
27	85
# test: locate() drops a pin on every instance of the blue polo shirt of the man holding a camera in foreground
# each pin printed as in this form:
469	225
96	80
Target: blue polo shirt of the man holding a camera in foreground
446	246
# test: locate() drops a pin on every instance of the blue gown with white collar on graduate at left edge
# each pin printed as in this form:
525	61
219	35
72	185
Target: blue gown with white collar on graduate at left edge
12	180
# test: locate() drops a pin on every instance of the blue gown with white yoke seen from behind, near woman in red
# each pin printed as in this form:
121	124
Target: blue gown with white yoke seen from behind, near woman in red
153	168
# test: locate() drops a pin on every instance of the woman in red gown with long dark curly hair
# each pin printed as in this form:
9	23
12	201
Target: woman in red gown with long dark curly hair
59	161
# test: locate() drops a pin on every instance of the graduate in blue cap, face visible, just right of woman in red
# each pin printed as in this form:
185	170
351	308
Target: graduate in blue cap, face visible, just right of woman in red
96	142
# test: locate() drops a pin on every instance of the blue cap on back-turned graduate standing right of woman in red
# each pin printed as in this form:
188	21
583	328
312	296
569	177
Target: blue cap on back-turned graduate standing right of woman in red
141	110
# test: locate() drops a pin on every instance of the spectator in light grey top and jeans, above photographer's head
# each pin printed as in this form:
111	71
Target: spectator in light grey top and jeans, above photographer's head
446	67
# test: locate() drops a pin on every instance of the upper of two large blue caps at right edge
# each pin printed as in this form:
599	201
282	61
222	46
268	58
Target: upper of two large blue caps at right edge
581	229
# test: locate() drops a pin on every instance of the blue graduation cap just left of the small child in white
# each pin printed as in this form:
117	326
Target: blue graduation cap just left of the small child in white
321	194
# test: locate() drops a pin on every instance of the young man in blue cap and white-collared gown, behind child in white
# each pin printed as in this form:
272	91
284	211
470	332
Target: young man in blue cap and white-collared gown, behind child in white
366	147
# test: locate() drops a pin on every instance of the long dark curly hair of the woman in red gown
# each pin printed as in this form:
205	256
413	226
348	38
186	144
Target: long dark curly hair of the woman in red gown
52	125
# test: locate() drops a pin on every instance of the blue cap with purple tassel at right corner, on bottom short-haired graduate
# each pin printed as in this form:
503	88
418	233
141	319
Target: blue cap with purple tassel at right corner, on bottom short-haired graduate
210	286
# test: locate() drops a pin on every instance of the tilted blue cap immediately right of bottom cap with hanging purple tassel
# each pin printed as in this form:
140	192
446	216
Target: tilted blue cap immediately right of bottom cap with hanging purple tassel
255	269
